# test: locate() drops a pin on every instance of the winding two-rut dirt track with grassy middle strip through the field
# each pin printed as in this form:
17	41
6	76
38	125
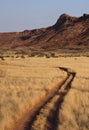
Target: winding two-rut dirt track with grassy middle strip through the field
44	116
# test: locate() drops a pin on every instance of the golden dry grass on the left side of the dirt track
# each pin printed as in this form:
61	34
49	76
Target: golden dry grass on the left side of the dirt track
23	83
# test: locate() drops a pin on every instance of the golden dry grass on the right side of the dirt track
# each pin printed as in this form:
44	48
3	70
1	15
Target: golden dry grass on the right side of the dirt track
74	112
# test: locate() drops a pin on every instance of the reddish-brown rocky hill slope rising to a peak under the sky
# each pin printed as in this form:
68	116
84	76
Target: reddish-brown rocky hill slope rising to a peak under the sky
67	32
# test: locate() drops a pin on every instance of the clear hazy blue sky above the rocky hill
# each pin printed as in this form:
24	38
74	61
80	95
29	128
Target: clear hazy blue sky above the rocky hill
18	15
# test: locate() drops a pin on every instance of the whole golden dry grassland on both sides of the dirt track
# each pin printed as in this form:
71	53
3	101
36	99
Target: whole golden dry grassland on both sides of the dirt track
25	82
